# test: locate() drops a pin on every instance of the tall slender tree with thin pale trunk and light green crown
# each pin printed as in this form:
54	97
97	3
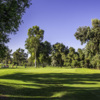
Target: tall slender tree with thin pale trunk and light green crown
35	36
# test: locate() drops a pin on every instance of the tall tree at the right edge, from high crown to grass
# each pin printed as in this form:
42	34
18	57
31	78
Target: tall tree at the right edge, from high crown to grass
91	36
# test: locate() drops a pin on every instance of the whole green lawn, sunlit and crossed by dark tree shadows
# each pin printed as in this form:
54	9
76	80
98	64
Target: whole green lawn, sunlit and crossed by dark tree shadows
49	84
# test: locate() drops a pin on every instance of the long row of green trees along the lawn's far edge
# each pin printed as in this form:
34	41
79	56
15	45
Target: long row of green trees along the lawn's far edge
44	54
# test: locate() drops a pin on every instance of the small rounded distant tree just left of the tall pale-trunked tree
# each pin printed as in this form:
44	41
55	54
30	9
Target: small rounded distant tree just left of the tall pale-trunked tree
19	56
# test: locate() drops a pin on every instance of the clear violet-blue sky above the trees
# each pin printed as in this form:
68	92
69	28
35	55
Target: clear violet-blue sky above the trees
59	19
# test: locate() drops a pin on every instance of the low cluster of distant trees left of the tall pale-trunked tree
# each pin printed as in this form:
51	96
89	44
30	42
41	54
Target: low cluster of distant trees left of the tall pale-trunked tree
18	58
